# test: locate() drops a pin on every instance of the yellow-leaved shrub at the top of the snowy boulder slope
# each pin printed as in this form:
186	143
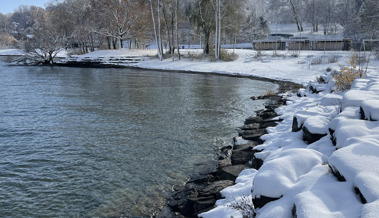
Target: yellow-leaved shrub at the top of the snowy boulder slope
346	76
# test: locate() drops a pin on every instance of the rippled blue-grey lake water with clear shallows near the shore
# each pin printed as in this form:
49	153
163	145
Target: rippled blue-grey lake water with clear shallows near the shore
103	142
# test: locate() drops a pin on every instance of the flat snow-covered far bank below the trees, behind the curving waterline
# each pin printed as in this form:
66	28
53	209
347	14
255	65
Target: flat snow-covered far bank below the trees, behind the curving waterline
294	66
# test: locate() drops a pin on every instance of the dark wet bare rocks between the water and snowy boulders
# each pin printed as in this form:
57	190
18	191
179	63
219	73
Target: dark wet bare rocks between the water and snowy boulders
200	195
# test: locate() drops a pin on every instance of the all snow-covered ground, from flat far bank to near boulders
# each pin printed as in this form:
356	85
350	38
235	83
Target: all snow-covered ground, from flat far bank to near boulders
335	176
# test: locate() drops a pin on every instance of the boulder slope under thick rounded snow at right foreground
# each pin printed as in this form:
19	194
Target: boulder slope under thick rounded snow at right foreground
334	176
